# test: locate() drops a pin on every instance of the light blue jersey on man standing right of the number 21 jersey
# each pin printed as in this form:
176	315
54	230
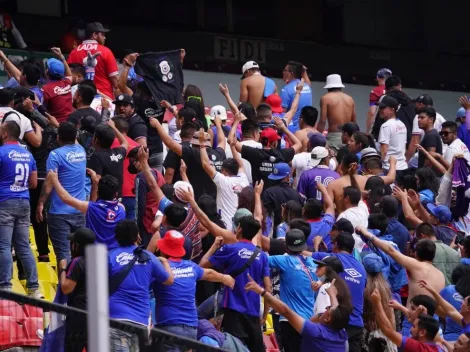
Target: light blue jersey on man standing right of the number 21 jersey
70	163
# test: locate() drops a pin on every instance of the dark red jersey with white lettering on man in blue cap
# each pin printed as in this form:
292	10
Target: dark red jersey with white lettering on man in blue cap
58	98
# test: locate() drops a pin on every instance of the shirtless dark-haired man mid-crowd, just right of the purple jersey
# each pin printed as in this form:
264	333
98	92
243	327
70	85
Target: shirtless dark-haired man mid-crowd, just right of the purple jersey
348	169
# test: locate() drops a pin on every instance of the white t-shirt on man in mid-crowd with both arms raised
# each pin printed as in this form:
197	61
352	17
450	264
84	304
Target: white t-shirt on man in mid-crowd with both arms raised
228	188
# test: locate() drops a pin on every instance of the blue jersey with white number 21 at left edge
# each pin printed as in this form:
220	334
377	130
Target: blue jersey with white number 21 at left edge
16	164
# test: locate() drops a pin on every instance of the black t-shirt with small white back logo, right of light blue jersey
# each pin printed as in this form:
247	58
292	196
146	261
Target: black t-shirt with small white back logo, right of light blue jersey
108	162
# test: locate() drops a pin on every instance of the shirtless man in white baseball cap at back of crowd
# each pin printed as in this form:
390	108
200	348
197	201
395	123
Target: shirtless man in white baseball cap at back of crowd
254	87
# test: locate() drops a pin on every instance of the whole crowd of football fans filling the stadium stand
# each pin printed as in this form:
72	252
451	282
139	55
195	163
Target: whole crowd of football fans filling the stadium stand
346	240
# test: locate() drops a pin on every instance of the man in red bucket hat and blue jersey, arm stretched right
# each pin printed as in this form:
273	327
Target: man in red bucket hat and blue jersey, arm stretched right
175	309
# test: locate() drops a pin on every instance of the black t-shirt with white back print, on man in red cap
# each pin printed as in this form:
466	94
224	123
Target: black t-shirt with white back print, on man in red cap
262	161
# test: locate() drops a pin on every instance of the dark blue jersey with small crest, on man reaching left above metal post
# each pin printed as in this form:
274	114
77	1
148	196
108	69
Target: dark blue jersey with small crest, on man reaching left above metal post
102	217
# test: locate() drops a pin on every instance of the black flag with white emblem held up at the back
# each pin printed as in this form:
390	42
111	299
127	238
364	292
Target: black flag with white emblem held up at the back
163	74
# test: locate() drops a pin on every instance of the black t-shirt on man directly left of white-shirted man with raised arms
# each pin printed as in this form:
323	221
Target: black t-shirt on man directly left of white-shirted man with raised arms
200	180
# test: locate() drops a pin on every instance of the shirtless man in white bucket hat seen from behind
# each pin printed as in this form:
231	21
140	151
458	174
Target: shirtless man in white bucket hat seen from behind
336	107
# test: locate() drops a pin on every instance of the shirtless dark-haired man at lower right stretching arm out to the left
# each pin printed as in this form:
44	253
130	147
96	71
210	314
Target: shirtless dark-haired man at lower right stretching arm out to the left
417	269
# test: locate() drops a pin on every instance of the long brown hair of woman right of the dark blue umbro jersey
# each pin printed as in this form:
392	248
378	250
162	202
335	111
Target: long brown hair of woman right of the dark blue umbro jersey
376	281
